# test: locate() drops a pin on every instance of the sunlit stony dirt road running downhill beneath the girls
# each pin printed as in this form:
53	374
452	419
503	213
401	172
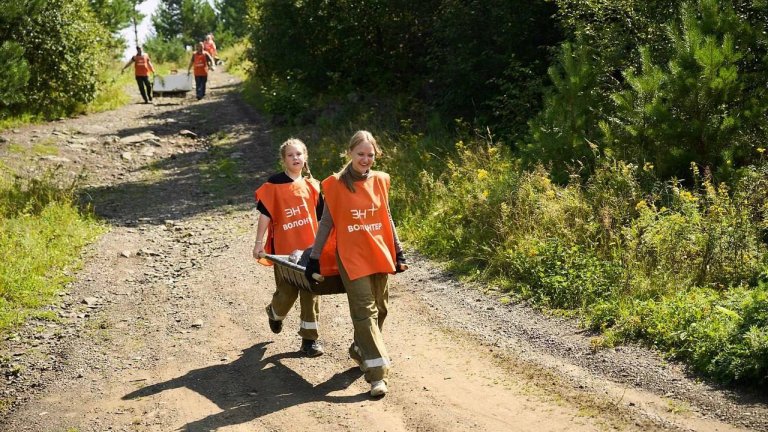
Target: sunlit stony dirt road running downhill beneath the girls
163	328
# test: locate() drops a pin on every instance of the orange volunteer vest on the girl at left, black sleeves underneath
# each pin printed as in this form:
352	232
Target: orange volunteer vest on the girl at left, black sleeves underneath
293	224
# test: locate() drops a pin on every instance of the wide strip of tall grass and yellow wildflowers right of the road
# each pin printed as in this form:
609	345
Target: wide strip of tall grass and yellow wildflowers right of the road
677	266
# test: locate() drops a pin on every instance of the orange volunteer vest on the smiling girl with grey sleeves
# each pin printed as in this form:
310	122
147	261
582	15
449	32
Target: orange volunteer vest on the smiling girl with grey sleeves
364	236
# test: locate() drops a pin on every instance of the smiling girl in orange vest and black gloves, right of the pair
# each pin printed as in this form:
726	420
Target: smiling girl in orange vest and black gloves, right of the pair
368	250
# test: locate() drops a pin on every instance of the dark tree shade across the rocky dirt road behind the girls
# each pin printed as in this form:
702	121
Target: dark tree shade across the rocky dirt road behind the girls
194	181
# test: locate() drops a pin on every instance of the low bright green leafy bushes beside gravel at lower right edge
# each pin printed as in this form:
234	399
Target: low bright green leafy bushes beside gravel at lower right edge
722	334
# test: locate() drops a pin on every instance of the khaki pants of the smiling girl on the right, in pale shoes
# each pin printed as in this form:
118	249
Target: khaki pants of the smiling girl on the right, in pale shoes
368	297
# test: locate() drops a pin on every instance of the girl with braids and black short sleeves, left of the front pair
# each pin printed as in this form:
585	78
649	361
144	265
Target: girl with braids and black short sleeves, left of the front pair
290	205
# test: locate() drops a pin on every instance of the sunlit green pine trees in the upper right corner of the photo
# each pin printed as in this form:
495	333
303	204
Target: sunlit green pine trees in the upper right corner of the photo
688	90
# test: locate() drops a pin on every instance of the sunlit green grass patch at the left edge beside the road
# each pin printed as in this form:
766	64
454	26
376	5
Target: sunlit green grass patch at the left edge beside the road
42	232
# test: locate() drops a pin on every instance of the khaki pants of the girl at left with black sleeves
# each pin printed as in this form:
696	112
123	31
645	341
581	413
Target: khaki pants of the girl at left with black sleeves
283	300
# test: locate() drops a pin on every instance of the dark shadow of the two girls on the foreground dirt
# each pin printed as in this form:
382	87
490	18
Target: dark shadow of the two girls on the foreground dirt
253	386
